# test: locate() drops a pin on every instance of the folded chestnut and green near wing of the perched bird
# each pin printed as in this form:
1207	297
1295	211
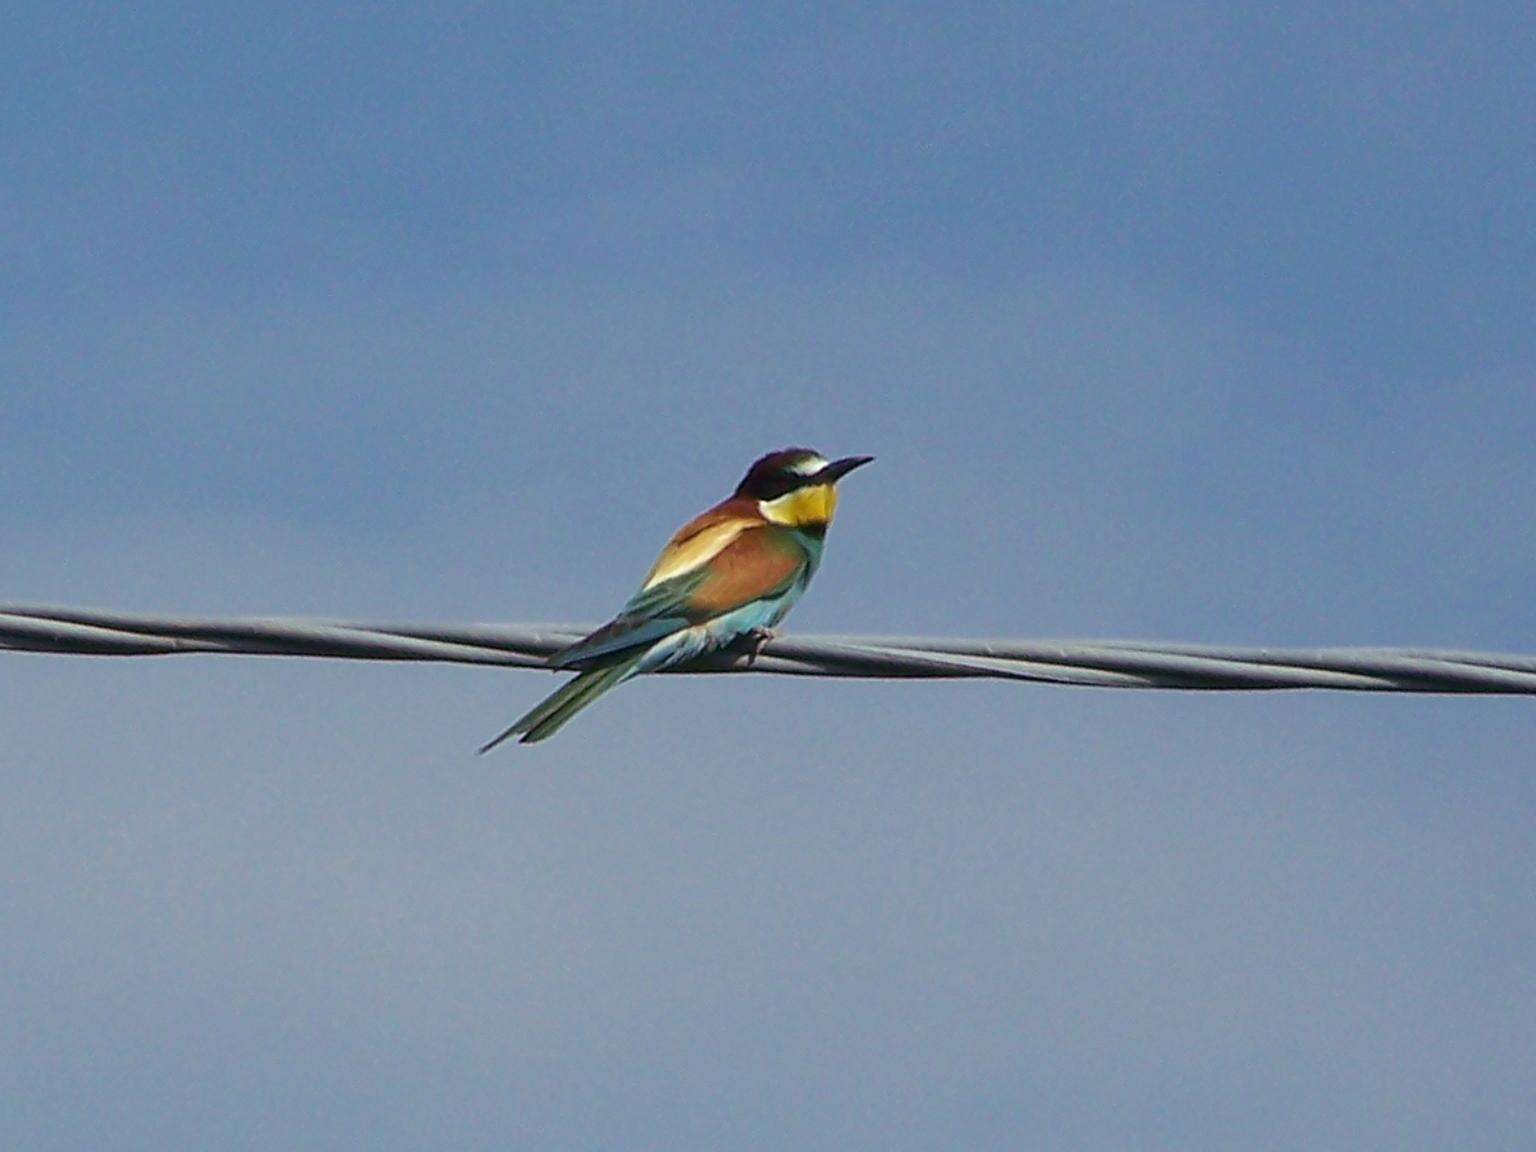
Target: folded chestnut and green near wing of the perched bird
758	561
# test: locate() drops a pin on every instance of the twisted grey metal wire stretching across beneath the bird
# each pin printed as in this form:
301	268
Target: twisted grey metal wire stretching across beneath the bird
1102	664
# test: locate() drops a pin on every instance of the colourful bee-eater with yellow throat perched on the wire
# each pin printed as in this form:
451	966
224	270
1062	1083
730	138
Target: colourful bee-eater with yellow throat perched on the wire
726	577
